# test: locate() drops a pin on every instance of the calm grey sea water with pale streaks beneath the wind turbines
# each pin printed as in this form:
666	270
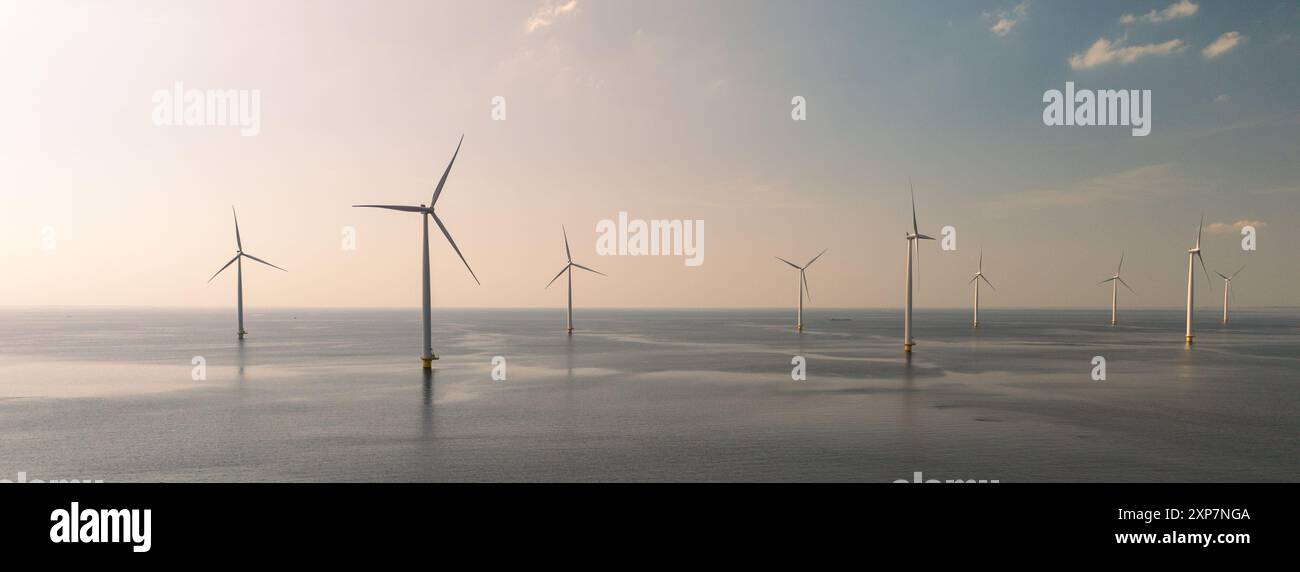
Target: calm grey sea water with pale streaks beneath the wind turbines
647	396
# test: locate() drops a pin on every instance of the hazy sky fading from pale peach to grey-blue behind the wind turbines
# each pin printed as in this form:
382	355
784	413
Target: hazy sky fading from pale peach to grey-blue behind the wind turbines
662	110
